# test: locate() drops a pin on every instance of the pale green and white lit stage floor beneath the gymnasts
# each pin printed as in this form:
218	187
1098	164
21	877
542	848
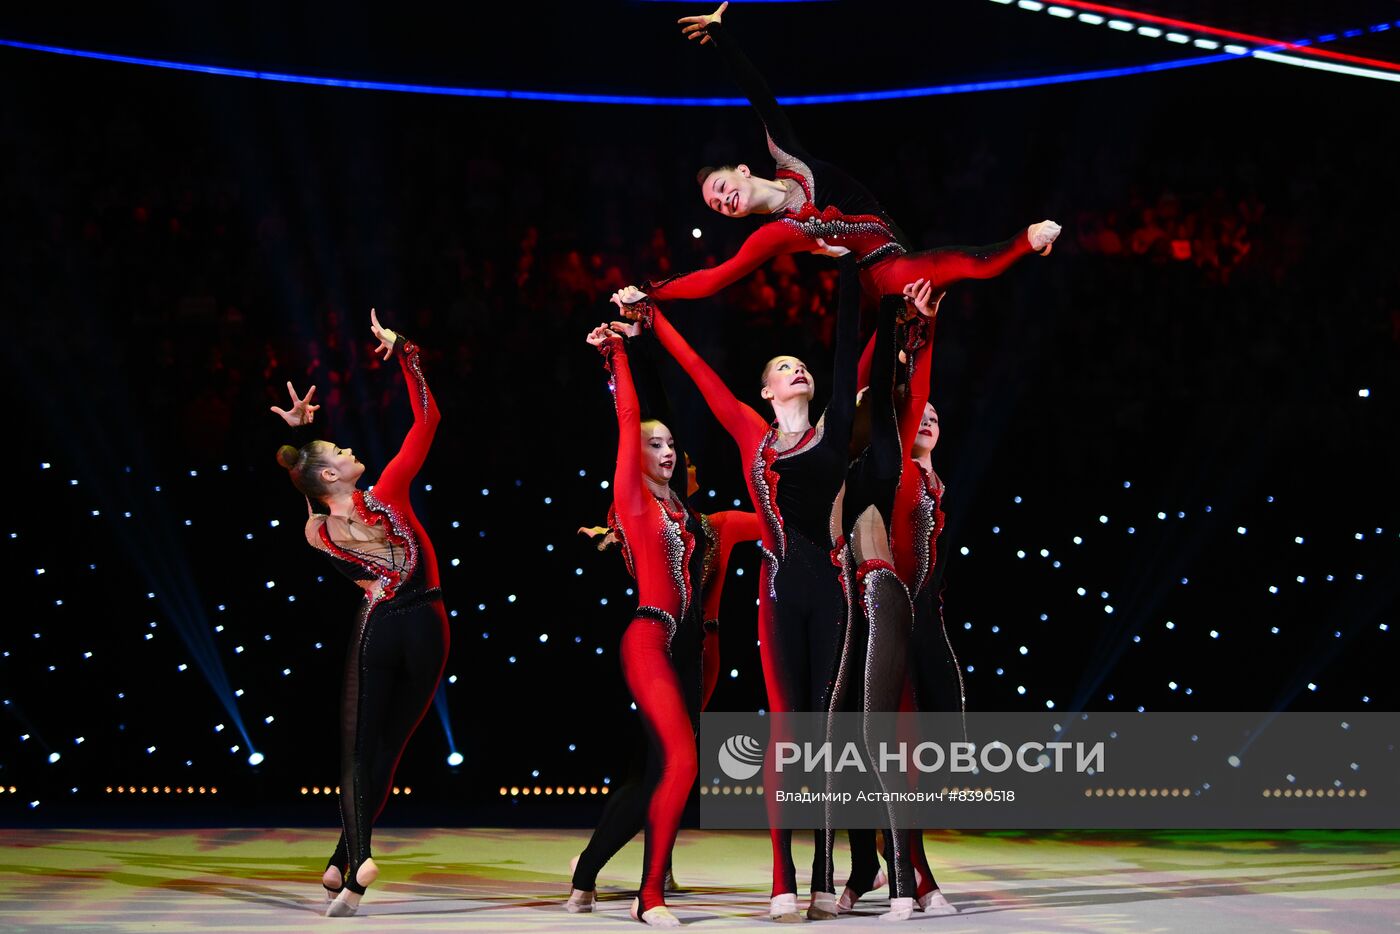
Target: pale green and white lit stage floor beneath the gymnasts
255	880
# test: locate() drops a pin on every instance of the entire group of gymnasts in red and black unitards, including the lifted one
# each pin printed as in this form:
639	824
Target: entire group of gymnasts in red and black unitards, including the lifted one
846	506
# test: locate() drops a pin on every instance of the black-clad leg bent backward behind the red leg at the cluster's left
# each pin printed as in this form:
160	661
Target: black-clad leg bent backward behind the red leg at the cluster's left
625	816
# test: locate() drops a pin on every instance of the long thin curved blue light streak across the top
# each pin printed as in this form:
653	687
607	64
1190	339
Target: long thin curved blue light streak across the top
638	100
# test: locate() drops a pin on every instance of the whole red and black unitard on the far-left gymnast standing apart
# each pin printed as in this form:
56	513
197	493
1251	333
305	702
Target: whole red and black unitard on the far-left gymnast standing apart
400	642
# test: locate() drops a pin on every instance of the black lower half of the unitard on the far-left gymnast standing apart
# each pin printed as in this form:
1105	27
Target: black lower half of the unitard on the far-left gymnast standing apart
393	669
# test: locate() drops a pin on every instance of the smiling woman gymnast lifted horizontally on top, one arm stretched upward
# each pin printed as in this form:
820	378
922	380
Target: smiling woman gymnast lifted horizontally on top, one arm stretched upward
818	208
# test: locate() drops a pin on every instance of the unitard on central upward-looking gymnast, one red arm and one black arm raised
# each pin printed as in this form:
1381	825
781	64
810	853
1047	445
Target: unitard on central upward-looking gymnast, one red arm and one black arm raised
794	492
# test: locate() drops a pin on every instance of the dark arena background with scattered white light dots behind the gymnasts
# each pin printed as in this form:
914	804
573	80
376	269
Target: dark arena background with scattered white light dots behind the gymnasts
176	247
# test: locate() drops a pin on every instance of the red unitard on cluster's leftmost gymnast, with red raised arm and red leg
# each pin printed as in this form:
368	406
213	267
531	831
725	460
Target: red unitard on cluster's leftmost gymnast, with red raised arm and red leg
659	547
